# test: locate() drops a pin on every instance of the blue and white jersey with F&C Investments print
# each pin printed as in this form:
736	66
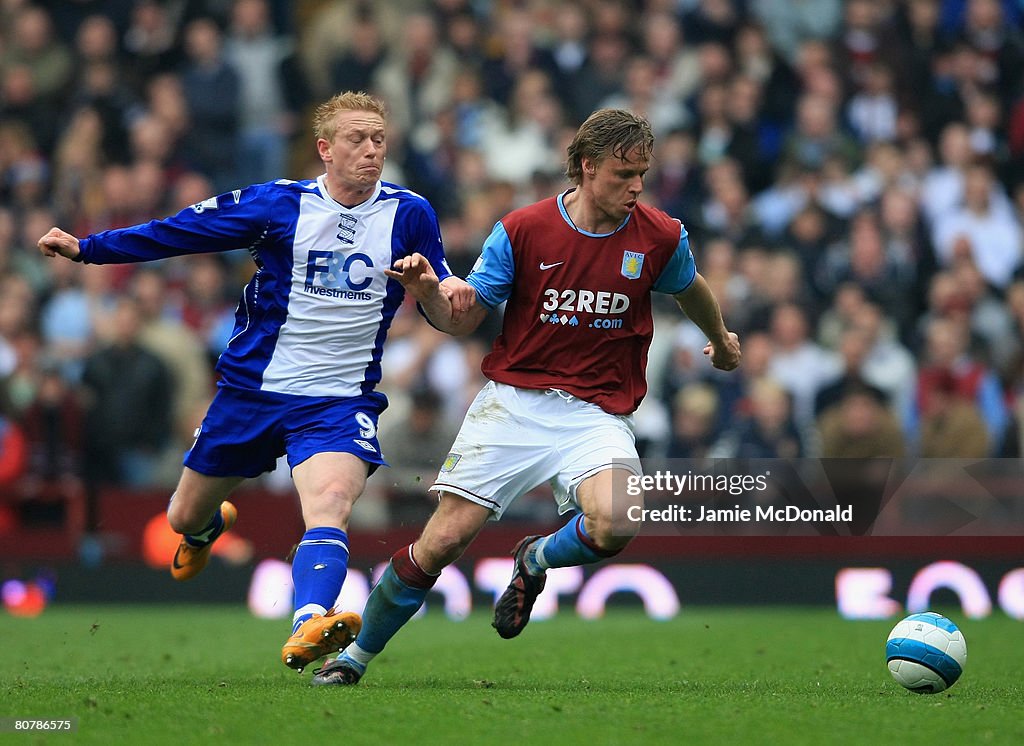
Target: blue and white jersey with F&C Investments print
314	319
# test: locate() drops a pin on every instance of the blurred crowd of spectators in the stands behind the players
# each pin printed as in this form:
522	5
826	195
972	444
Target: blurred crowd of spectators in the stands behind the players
851	175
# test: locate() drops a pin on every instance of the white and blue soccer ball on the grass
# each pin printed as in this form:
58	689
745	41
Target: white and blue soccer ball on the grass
926	653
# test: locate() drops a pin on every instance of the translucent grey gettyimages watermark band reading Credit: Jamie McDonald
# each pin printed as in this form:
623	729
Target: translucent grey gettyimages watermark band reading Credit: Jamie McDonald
824	497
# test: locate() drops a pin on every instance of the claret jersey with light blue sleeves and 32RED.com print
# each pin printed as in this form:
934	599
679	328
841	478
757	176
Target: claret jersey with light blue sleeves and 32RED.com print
578	314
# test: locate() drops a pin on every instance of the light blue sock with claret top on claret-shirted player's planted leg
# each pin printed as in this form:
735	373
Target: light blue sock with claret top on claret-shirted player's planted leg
395	599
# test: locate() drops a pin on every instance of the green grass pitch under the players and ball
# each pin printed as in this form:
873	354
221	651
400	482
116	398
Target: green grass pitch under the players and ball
212	675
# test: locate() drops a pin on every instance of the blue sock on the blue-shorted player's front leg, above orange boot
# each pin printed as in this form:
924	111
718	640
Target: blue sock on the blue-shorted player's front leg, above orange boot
319	572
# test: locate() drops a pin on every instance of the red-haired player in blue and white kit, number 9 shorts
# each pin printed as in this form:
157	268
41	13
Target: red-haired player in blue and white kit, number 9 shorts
300	373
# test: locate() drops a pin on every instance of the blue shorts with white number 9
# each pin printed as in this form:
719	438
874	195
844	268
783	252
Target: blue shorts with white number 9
245	432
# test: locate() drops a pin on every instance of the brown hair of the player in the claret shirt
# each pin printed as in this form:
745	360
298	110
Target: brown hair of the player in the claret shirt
608	133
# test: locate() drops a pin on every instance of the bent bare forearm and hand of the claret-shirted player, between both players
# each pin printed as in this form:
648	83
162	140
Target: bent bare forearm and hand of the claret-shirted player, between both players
451	305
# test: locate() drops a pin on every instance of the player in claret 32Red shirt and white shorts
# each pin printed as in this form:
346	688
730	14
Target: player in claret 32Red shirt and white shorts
576	273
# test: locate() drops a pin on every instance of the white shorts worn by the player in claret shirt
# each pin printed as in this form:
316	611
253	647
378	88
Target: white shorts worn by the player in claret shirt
515	440
